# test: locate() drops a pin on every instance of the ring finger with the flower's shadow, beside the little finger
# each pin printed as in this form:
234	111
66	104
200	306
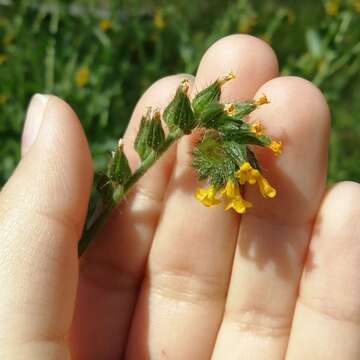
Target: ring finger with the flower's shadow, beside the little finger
274	235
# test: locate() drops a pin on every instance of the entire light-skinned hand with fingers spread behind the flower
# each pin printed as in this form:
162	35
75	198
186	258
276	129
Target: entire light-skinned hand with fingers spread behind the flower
167	278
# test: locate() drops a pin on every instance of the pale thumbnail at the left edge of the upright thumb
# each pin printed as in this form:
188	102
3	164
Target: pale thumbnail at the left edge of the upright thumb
34	116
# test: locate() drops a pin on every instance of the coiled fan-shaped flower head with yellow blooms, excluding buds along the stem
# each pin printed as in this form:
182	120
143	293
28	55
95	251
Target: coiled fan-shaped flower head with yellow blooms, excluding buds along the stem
223	157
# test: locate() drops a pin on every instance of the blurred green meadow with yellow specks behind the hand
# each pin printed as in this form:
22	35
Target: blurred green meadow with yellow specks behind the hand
101	55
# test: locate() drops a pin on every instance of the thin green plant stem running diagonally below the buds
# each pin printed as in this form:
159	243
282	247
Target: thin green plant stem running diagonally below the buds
145	165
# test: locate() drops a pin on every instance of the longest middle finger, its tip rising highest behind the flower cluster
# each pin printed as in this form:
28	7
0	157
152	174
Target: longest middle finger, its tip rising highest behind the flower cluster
192	252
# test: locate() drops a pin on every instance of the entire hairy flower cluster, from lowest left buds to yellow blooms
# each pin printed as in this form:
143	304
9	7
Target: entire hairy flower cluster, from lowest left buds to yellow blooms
222	157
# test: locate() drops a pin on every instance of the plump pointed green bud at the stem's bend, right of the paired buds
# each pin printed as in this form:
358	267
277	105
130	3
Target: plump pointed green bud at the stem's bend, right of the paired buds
178	114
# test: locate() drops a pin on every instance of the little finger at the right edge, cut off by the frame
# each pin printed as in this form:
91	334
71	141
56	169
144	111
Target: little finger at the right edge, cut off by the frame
326	322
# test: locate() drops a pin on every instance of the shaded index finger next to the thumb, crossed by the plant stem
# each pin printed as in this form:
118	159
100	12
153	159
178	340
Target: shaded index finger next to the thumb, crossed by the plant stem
112	267
